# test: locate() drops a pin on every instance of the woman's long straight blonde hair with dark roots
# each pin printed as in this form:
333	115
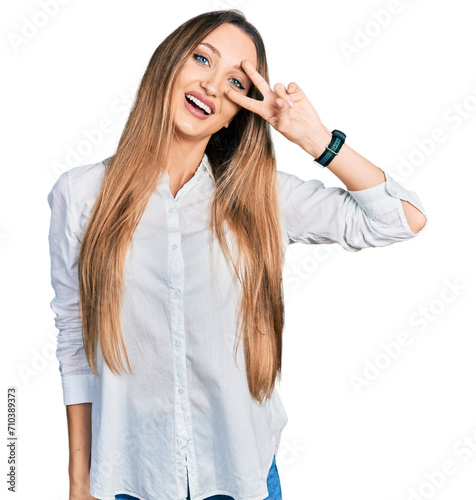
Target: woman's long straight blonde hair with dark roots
242	158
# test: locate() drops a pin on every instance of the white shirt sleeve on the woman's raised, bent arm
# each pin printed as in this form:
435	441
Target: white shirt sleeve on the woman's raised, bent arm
372	217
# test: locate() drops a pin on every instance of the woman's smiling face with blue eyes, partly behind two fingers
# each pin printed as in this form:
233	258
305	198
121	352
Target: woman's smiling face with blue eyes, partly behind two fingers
213	68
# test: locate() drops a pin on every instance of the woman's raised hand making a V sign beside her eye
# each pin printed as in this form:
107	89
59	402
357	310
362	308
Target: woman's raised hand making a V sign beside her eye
296	122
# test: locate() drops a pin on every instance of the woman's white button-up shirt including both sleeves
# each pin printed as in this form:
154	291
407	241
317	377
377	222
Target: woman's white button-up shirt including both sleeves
187	406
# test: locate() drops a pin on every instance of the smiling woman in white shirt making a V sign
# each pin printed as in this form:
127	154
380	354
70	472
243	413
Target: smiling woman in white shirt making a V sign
168	256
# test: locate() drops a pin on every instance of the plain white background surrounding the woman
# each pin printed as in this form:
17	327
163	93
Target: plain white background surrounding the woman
388	80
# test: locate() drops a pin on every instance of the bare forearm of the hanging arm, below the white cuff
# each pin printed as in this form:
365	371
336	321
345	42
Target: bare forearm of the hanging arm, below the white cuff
79	434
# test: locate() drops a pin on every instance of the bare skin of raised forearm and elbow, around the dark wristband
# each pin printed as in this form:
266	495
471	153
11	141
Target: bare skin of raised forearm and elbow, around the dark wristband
357	173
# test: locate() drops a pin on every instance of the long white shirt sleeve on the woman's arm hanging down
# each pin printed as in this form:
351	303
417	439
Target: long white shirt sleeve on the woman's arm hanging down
76	375
